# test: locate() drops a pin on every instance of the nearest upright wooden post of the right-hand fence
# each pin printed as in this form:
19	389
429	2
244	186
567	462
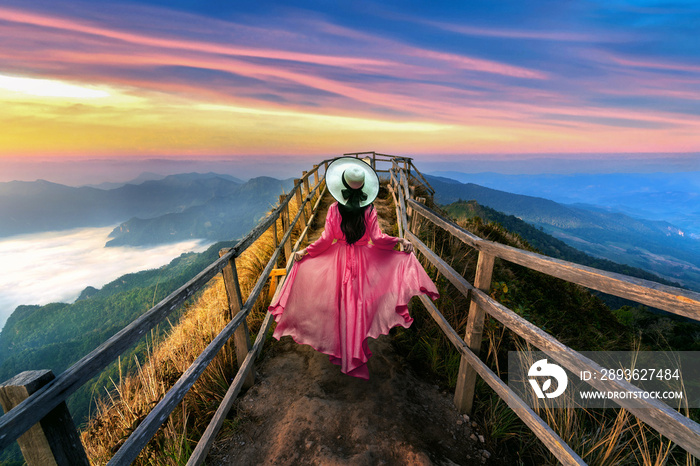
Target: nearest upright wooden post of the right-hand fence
466	379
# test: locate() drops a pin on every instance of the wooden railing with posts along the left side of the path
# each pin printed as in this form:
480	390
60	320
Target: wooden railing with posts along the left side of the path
32	399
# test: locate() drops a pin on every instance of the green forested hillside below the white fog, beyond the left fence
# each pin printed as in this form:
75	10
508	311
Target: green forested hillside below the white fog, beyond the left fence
57	335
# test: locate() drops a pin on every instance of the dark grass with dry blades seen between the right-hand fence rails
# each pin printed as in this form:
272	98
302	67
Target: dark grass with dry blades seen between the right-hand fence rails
600	437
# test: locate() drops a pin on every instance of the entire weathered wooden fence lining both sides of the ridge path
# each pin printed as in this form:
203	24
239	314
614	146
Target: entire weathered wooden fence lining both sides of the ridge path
36	398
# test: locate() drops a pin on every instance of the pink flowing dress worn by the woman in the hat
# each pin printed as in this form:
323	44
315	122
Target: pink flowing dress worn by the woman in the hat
340	294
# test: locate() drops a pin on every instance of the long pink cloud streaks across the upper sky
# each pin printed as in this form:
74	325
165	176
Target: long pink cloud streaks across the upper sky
131	50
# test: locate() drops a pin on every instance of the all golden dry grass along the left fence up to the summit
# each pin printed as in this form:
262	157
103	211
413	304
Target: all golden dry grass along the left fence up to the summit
132	397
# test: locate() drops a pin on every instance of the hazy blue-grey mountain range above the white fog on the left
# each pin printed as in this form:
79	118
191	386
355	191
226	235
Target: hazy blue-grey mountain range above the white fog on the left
193	205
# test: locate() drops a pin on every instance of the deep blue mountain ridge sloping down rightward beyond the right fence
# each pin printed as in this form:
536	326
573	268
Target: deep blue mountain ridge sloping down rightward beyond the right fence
647	244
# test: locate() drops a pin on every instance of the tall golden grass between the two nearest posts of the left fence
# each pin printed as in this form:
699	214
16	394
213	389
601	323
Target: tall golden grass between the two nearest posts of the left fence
133	396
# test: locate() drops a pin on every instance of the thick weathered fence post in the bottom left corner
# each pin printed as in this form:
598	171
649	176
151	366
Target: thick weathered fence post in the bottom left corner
53	440
